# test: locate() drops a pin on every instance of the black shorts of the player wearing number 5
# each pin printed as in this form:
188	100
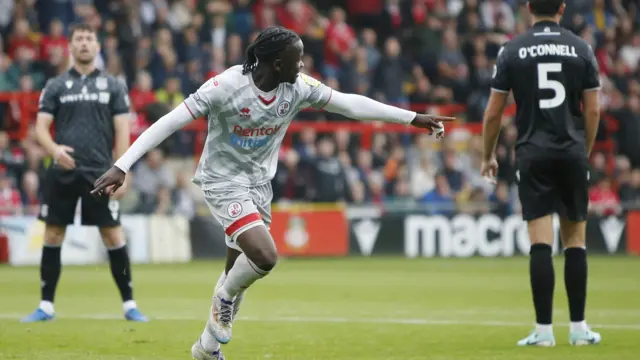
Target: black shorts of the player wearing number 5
548	185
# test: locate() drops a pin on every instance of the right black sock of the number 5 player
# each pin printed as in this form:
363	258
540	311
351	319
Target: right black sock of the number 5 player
575	281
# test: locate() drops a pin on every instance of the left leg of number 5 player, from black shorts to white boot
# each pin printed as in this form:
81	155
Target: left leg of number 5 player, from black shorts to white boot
537	196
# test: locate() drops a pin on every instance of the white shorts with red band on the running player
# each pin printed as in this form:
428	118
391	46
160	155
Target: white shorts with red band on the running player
239	208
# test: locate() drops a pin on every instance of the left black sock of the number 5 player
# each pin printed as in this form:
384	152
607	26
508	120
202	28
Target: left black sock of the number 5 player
542	282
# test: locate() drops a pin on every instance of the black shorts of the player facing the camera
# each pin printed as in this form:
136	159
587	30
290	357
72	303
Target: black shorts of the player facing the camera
62	189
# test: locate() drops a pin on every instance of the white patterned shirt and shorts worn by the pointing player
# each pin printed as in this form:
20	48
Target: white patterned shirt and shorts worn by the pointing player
246	128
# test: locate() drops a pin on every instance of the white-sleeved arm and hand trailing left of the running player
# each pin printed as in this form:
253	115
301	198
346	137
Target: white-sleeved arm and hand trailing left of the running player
149	139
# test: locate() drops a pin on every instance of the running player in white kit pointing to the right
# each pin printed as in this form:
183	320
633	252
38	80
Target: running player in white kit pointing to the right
249	108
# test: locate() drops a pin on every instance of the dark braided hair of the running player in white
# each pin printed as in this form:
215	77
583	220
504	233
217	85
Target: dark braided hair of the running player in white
267	46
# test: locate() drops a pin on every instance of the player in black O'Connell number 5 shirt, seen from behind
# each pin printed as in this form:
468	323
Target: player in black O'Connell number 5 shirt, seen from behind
554	78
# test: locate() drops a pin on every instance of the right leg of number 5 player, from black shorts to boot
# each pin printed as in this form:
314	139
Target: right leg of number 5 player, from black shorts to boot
573	234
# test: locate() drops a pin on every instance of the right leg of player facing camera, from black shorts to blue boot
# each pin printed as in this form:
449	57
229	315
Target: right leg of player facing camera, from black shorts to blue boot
105	214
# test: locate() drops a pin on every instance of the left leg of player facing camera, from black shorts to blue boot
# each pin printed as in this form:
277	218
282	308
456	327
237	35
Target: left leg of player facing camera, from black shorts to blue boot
57	211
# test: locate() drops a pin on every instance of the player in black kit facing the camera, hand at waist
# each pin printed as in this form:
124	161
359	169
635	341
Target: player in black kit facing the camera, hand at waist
90	112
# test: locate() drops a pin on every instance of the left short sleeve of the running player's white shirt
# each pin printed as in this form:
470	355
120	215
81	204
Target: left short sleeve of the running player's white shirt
208	98
